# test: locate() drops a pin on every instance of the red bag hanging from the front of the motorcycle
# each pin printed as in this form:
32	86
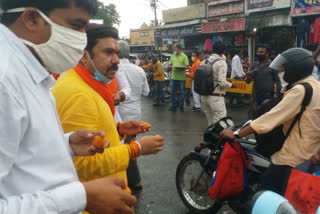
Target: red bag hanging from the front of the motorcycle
231	174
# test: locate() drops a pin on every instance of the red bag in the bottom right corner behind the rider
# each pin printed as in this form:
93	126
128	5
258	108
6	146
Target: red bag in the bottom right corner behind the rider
303	191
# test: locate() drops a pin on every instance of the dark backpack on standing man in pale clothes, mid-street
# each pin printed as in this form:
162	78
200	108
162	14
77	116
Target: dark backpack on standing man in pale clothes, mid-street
203	78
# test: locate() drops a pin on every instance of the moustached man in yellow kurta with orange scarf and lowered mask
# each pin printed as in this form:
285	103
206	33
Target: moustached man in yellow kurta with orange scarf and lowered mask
85	102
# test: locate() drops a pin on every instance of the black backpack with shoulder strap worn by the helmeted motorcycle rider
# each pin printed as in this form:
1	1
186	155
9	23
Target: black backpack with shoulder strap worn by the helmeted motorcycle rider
271	142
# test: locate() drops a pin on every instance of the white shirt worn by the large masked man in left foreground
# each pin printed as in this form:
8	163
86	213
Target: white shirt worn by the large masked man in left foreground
37	174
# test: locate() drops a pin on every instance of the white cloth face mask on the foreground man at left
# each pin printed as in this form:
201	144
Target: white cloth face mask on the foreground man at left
63	50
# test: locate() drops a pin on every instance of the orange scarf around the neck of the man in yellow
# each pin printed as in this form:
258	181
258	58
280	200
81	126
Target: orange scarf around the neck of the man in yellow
99	87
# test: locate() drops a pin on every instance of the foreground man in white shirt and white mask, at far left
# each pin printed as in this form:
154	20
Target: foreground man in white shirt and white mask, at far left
36	170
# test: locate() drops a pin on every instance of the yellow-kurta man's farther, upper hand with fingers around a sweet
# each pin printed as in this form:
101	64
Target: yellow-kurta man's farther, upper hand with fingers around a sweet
132	127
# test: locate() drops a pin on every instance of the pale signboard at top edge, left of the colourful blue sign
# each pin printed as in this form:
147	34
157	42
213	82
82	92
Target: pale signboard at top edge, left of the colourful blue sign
261	5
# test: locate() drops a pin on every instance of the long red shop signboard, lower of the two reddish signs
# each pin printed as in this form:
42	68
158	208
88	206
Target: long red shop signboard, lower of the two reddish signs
216	27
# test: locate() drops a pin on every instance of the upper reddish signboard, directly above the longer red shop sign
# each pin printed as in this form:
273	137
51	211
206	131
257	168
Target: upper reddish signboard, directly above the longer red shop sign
226	9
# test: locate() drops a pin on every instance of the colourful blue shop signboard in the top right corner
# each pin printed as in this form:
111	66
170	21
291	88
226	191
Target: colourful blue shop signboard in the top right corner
305	7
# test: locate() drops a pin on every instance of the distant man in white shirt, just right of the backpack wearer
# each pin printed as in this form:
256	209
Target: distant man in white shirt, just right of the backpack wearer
236	73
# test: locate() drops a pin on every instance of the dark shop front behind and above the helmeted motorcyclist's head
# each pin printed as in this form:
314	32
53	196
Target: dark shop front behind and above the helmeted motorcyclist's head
268	22
